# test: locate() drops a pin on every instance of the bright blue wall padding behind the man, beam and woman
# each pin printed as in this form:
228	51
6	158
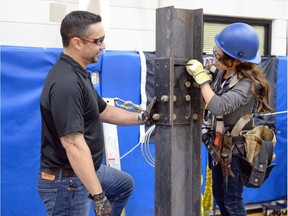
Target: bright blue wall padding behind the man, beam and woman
23	71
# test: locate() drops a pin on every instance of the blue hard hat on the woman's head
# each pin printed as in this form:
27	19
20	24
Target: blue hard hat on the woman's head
240	41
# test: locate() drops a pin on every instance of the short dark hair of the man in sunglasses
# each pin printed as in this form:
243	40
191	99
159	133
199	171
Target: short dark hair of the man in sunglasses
77	23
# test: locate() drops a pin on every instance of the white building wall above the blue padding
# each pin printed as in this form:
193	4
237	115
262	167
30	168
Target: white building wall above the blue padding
129	24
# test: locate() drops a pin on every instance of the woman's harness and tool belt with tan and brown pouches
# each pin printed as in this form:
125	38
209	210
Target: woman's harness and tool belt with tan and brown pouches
221	144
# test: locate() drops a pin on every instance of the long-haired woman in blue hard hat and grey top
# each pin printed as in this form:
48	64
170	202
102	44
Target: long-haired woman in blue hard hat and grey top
238	88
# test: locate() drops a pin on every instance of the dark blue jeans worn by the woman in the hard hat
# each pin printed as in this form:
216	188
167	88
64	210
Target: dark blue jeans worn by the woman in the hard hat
228	197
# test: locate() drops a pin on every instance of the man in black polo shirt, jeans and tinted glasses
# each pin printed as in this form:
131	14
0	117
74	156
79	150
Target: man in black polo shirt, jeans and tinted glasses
72	140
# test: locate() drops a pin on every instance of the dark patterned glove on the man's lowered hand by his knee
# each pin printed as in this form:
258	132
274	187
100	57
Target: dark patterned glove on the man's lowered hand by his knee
102	206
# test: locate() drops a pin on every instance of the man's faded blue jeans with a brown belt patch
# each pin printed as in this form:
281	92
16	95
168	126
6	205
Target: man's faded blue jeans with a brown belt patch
67	196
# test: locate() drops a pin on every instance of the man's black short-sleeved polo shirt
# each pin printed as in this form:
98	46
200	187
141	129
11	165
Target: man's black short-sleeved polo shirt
69	103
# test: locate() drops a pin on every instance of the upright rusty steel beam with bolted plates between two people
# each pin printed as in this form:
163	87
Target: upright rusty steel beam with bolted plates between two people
179	37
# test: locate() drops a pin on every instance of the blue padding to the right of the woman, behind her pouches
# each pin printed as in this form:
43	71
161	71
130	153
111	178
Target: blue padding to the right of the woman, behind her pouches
276	185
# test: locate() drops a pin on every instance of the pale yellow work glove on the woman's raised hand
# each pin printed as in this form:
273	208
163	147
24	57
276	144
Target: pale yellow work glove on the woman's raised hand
195	69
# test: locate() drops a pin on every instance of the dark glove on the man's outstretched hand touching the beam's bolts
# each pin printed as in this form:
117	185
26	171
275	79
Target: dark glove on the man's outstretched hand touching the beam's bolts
148	117
